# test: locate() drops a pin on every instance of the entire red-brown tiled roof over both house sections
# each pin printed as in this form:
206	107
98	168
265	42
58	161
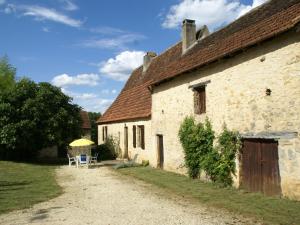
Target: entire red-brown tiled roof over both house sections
266	21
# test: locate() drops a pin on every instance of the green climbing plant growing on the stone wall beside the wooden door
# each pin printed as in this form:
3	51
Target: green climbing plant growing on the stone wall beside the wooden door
218	162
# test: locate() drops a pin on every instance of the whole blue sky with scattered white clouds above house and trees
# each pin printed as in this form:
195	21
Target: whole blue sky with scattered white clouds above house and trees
88	48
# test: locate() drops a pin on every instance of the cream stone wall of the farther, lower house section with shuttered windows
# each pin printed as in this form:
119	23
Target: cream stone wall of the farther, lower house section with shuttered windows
117	131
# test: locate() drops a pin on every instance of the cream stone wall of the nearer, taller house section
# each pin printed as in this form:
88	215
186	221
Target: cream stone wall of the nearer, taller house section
236	96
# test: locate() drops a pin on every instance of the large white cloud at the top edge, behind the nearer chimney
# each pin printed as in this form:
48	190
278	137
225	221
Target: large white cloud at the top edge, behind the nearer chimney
213	13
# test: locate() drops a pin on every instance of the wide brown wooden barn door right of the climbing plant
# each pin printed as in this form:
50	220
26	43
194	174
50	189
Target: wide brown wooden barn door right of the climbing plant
260	169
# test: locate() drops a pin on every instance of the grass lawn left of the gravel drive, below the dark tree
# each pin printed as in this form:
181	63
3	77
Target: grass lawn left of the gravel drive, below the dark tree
22	185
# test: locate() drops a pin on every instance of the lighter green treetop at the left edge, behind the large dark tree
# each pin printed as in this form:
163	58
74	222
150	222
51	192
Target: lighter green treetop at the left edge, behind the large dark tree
7	74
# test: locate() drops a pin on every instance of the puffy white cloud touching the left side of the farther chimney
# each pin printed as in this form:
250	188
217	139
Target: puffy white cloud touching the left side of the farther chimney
120	67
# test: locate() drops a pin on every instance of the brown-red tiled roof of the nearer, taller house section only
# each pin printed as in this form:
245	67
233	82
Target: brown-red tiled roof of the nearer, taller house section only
262	23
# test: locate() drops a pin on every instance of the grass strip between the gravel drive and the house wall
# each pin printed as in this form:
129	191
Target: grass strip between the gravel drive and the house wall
266	209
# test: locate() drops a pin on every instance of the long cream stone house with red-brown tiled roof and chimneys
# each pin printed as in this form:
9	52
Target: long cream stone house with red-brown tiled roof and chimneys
245	75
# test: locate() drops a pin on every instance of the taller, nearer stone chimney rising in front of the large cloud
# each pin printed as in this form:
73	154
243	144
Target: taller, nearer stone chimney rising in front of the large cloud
188	34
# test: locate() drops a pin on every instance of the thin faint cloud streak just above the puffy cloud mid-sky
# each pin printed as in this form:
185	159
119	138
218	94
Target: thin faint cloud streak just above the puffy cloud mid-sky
118	42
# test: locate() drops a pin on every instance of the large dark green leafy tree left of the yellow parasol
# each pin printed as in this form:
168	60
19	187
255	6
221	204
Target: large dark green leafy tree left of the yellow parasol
34	116
